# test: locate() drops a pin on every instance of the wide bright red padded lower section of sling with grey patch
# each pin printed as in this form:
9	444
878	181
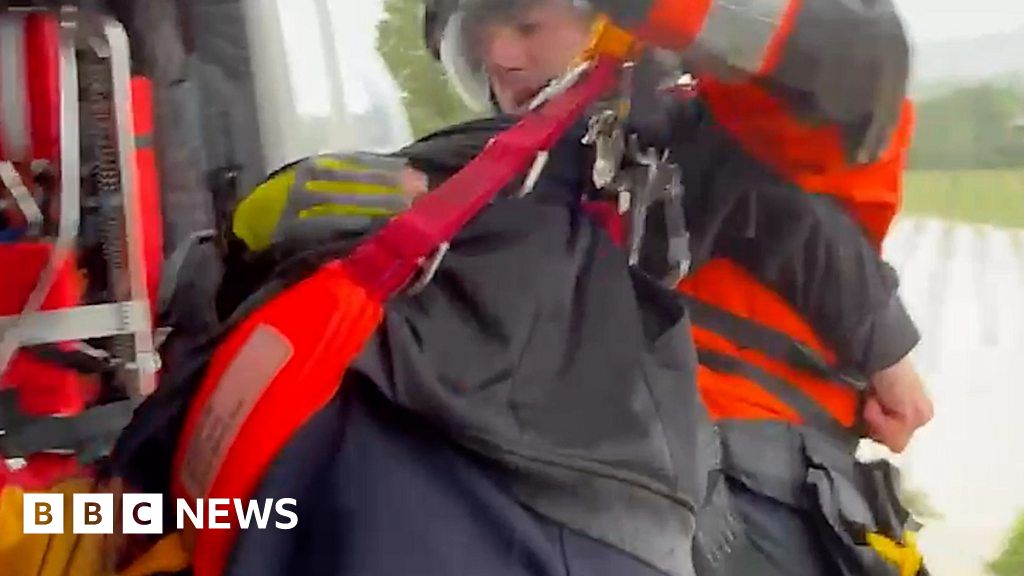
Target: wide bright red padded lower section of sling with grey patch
250	403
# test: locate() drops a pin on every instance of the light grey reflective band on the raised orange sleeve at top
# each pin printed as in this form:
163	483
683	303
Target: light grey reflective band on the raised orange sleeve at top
740	32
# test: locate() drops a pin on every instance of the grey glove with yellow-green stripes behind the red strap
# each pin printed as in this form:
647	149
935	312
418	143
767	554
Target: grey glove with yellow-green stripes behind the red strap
326	196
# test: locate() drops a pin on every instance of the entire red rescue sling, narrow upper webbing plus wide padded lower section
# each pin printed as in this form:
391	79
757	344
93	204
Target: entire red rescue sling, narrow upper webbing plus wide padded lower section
286	361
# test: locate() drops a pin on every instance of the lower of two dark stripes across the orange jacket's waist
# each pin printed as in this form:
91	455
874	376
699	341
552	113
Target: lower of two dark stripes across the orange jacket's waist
812	413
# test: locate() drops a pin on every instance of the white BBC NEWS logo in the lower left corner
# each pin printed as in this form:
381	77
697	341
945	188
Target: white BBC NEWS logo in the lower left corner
144	514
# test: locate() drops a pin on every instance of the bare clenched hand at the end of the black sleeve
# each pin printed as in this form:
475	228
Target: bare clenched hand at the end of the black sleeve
898	405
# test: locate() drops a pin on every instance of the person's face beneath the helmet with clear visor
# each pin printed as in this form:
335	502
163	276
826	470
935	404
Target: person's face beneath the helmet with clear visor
523	54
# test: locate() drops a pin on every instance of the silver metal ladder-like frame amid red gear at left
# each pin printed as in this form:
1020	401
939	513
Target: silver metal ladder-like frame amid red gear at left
132	316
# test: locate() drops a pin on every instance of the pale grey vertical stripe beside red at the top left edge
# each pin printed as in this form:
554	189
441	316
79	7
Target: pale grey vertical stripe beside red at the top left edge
14	108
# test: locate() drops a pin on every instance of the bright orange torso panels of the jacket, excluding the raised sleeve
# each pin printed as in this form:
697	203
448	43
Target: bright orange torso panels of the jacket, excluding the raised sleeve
760	359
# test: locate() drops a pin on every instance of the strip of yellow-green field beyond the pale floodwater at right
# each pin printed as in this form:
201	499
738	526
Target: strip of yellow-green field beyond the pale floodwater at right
995	197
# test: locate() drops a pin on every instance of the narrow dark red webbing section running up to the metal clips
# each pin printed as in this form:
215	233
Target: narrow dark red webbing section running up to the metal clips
387	262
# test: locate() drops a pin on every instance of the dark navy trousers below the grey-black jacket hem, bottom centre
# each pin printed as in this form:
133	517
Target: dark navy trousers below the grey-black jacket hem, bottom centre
382	495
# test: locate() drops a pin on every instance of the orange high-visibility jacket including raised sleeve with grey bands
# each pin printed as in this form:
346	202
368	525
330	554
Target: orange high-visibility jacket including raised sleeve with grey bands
816	91
